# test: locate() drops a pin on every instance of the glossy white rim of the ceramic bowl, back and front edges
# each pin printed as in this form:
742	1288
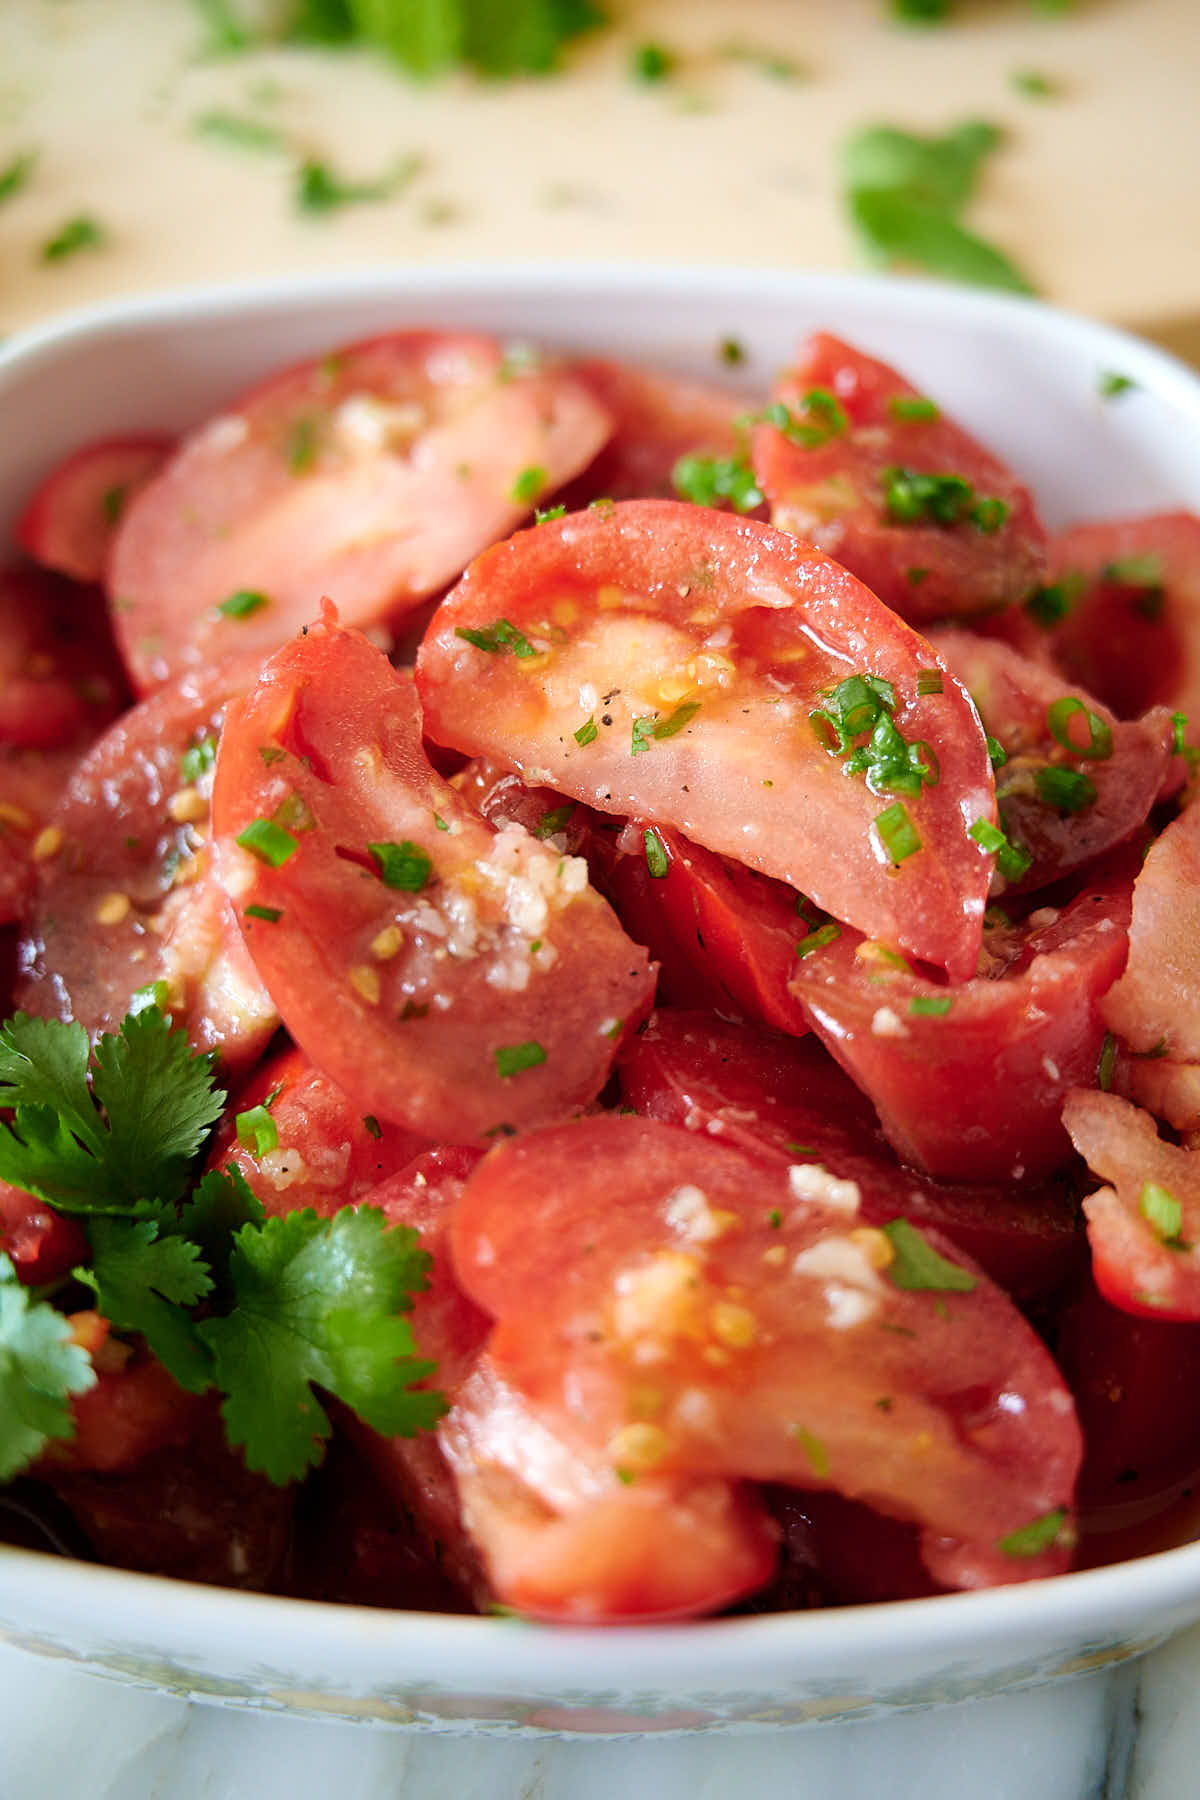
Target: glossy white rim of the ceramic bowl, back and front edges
490	1653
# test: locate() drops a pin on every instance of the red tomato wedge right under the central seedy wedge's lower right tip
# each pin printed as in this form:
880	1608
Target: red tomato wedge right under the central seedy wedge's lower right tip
969	1081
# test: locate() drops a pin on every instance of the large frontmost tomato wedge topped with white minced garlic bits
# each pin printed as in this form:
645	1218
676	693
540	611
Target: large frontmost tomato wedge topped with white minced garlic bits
728	1318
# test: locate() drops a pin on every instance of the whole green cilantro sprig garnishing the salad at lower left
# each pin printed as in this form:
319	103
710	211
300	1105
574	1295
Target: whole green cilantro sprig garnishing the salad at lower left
224	1297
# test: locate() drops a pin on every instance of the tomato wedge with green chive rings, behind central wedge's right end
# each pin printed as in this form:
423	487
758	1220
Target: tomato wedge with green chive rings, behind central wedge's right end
1075	782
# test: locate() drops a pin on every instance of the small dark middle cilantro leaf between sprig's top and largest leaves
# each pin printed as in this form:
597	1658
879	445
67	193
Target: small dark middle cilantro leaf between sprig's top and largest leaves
143	1282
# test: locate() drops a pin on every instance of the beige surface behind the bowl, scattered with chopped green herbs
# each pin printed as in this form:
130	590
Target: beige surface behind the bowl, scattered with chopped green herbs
1097	192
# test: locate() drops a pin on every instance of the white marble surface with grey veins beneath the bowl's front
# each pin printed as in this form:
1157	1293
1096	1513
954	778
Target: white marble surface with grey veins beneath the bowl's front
1127	1734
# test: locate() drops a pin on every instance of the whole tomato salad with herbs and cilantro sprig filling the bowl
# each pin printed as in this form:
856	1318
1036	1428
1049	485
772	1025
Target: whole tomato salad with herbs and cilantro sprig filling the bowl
604	996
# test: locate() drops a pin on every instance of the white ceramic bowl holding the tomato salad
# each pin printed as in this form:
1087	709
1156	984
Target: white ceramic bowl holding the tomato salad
1026	381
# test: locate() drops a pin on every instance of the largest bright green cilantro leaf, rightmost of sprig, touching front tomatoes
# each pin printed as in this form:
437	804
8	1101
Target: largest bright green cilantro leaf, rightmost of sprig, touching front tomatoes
319	1300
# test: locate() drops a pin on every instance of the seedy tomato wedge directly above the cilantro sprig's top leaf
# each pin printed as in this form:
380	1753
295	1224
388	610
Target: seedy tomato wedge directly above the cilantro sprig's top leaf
125	886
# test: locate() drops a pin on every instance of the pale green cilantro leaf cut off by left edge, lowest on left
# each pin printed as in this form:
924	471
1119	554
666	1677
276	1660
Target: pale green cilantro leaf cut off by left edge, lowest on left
40	1369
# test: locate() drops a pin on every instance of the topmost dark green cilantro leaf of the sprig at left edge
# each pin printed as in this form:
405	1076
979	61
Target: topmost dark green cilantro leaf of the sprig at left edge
157	1097
